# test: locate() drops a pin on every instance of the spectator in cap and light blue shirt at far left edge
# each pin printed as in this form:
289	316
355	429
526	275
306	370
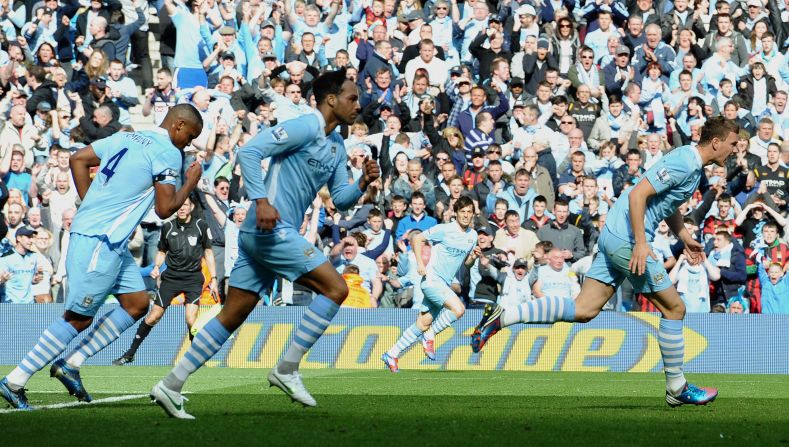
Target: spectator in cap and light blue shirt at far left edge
21	269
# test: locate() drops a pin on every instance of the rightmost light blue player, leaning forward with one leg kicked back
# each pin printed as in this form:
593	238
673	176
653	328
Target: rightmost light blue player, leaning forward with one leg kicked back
624	252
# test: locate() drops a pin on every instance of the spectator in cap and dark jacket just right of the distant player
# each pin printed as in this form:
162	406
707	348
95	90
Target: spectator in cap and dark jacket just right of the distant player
484	274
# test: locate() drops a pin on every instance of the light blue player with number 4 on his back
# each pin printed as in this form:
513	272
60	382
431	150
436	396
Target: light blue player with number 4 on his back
136	171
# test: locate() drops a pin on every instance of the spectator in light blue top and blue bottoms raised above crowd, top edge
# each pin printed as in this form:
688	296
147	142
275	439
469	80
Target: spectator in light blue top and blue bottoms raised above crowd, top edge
189	71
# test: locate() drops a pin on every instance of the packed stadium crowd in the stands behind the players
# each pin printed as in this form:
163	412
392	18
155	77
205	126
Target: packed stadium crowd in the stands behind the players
542	112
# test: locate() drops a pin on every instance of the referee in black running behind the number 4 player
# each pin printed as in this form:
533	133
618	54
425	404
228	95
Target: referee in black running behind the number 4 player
185	242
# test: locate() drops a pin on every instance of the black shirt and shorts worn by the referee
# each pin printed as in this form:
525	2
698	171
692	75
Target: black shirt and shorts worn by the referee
185	244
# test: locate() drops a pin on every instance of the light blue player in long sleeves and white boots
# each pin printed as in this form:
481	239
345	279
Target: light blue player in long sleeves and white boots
306	153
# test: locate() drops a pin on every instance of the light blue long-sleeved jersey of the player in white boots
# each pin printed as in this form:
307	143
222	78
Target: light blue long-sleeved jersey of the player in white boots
303	159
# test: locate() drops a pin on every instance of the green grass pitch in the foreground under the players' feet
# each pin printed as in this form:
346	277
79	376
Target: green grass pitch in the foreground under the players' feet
366	408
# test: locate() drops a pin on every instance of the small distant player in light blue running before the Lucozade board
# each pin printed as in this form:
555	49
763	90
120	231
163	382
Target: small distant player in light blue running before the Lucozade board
453	244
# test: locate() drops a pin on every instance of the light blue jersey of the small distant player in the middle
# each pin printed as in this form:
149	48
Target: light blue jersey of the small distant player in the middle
451	246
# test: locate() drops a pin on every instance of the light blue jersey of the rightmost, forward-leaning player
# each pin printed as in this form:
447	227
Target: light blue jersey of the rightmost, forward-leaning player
675	177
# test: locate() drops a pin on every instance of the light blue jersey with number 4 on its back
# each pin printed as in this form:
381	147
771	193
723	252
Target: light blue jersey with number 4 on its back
122	191
